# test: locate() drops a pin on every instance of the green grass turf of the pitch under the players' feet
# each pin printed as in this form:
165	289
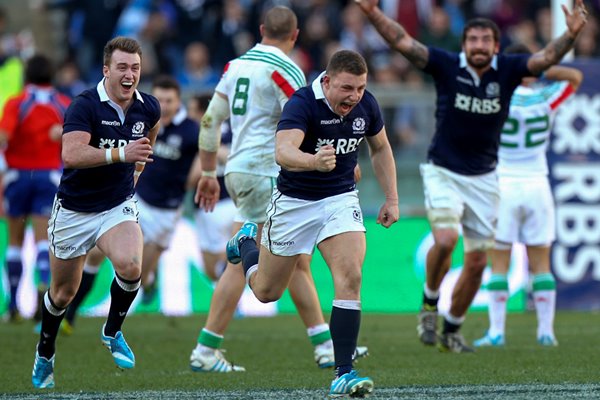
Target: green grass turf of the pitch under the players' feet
278	357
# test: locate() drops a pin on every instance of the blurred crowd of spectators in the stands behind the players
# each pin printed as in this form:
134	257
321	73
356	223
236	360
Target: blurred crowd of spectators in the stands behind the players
194	39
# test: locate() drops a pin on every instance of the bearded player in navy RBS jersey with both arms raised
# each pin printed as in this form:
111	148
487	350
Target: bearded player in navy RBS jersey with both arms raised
474	89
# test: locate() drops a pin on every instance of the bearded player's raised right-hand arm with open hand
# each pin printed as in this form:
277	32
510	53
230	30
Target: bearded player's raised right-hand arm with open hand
556	49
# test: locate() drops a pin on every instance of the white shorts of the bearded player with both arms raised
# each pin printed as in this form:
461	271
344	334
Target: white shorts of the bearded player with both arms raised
452	199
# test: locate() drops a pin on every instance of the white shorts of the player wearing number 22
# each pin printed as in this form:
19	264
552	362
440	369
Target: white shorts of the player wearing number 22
526	212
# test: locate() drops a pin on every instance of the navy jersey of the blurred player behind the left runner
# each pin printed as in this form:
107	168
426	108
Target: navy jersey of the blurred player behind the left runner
163	182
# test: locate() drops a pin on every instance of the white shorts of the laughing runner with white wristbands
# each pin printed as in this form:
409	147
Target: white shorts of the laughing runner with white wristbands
72	234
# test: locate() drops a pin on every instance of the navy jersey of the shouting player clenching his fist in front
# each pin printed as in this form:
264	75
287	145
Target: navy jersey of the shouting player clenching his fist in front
308	111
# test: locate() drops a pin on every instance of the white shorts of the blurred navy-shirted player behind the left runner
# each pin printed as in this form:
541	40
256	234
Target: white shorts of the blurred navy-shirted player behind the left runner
158	224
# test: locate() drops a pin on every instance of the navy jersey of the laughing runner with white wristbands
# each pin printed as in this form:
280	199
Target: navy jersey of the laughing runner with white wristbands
102	188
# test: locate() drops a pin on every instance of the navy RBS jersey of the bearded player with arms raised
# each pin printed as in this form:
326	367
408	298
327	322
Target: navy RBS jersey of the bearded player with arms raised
470	112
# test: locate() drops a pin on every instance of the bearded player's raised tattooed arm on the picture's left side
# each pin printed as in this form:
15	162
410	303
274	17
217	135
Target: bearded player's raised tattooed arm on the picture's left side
395	34
